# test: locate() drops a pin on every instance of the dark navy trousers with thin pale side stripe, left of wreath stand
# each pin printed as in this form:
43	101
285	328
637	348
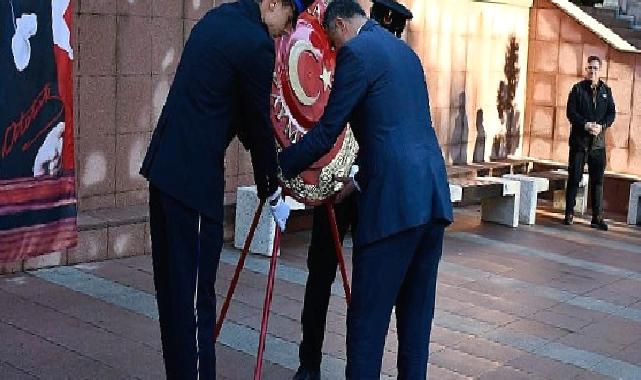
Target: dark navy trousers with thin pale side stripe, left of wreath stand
185	252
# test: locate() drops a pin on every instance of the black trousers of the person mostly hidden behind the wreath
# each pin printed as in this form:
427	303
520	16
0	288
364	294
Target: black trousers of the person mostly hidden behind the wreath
322	264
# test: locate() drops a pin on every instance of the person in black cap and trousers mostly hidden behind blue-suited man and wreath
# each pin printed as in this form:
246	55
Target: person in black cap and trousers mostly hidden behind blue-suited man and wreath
321	257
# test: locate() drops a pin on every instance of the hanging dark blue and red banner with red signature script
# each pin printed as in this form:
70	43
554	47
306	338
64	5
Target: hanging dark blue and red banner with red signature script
37	180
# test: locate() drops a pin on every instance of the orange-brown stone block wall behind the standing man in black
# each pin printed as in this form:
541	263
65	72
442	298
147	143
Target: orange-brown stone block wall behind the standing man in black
559	47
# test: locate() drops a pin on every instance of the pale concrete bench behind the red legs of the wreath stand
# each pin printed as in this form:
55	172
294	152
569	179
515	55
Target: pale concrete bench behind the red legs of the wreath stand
246	204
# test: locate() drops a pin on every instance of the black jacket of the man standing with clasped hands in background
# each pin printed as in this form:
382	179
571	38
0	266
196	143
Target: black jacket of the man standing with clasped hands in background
582	108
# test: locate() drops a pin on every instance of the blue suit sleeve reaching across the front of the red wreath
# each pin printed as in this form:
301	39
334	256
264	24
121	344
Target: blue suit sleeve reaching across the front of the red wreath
350	86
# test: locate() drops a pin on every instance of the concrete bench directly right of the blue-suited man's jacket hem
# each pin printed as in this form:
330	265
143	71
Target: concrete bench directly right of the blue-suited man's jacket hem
499	197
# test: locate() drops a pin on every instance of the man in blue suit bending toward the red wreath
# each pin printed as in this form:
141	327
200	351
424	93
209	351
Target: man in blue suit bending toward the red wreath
404	200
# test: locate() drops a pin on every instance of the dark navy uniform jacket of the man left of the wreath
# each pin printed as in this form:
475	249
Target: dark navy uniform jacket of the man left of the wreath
221	88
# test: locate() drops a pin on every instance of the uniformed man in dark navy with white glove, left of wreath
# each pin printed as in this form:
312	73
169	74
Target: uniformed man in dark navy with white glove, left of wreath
221	89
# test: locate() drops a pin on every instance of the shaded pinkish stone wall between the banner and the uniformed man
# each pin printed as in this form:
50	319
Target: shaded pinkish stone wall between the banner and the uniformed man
128	52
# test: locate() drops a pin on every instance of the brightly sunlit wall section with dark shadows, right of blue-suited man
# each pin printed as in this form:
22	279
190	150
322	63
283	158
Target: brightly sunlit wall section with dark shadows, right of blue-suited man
475	58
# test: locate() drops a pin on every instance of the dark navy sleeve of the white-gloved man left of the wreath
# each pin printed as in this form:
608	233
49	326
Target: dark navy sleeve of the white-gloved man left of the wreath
257	134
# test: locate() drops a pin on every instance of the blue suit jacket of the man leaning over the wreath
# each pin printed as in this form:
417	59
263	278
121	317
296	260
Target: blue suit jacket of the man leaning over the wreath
380	89
